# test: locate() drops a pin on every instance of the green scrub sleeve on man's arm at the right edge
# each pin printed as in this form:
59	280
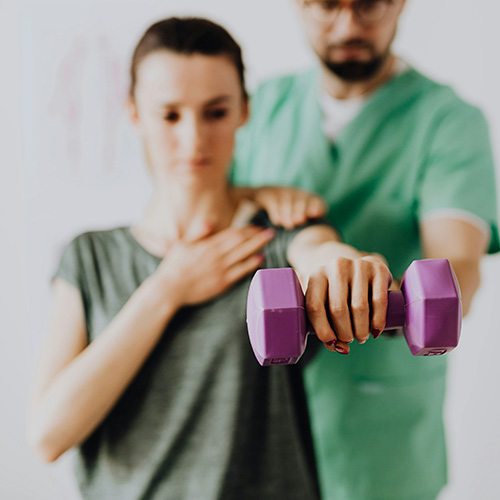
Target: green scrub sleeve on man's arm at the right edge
459	170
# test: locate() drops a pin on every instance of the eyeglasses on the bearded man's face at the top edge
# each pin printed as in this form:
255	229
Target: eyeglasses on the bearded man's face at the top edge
365	11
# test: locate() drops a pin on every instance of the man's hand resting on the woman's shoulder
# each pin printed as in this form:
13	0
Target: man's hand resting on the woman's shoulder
286	206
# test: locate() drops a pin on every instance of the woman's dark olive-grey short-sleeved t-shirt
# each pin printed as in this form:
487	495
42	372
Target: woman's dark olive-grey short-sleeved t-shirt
202	420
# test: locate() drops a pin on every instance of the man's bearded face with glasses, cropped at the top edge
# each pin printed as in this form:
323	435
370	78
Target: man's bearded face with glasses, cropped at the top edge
352	38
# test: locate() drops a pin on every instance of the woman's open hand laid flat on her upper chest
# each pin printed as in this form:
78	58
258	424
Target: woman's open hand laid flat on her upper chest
201	269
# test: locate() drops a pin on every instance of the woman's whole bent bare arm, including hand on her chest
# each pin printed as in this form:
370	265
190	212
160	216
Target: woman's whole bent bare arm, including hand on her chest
78	384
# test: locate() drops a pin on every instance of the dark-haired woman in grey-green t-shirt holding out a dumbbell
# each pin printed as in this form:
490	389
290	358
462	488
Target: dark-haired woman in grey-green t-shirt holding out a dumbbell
147	368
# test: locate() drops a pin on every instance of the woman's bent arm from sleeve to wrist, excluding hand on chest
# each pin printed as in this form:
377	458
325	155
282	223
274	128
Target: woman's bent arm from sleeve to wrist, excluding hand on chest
77	384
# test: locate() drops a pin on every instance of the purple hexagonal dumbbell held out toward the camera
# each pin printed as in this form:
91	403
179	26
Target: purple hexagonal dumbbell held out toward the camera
428	308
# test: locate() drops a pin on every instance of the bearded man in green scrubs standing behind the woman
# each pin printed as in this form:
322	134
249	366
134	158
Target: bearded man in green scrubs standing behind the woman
406	169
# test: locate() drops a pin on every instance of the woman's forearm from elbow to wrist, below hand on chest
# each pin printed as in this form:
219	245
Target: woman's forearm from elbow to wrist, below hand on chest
85	391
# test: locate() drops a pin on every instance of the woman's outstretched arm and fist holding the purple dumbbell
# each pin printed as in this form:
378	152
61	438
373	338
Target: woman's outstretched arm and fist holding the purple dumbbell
346	290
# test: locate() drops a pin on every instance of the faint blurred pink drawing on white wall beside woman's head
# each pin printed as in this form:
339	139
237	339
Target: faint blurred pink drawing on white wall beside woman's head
86	105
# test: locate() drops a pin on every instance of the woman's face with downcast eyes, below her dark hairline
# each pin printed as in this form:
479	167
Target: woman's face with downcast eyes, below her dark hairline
187	109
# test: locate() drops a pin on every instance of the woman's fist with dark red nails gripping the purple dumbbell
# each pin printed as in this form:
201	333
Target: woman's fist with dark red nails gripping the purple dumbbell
347	299
